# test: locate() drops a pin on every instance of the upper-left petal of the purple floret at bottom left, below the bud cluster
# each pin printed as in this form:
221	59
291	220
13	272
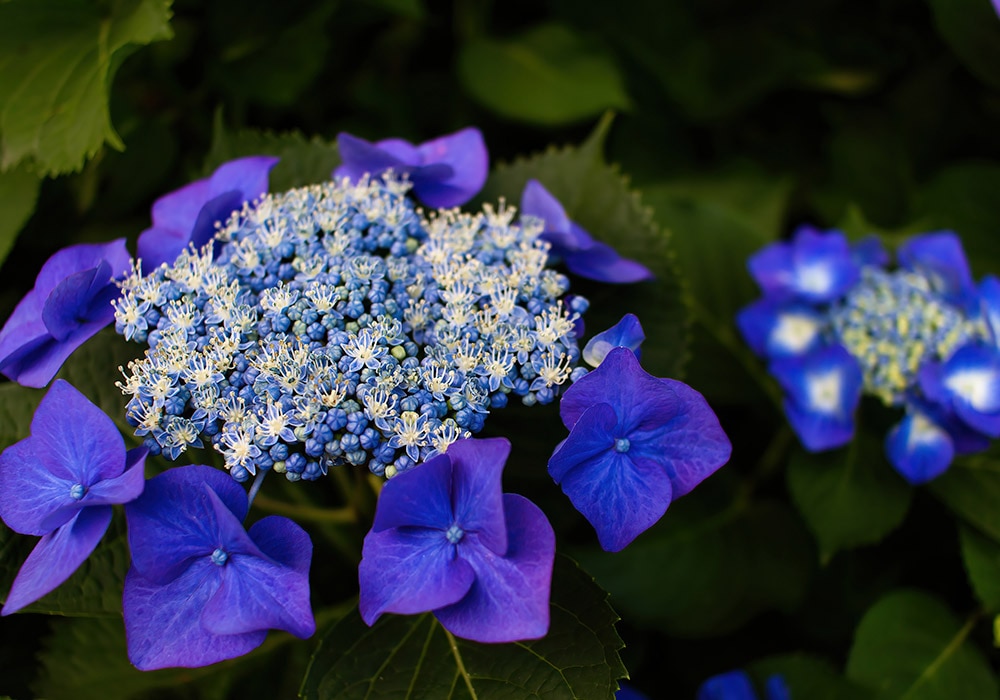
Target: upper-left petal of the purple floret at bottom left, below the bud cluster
163	536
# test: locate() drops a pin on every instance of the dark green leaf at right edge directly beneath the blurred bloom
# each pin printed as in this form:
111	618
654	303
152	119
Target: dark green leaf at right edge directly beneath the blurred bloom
971	489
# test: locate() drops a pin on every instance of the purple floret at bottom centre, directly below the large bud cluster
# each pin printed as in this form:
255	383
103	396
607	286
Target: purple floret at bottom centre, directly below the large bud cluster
446	539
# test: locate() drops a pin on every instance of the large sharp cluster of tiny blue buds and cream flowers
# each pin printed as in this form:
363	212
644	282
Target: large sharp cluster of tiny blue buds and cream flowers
336	324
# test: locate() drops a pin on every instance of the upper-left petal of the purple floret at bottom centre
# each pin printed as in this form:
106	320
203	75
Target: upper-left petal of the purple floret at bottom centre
419	497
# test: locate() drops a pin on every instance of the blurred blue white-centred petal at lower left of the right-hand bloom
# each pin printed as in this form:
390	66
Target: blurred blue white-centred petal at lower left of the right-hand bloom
823	390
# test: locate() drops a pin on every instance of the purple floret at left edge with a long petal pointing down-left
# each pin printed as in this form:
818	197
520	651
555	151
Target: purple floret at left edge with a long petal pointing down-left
59	484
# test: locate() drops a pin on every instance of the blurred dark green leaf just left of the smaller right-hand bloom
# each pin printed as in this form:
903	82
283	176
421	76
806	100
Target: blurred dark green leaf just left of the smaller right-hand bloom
716	222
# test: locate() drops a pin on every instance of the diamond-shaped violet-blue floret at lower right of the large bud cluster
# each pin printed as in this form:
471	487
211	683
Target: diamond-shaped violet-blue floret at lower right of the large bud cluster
636	443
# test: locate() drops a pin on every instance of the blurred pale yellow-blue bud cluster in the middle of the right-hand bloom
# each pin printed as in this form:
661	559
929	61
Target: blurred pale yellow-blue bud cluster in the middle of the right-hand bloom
891	322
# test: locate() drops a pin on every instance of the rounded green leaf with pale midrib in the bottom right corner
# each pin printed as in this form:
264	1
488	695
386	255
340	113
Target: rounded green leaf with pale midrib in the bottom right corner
910	645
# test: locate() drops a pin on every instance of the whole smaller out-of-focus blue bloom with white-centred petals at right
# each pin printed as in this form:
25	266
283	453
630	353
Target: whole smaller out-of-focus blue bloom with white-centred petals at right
836	321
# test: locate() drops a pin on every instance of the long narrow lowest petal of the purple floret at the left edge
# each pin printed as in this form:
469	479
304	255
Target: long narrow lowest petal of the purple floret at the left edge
56	556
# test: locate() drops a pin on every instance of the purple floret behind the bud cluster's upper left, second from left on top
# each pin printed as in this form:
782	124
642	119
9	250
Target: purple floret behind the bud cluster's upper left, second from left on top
188	216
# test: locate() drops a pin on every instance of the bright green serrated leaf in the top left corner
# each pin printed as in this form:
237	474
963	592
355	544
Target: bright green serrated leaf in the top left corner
57	62
